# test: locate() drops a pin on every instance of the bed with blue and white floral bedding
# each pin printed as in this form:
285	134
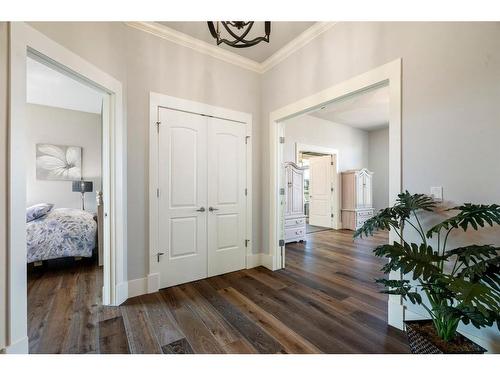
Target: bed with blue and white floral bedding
63	232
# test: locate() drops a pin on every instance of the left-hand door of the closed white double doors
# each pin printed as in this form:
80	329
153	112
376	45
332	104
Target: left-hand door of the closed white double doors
182	179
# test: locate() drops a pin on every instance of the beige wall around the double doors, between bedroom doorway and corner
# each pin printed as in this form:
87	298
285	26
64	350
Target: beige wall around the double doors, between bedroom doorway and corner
145	63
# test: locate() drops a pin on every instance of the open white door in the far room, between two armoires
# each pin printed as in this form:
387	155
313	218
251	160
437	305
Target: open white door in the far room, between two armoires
320	188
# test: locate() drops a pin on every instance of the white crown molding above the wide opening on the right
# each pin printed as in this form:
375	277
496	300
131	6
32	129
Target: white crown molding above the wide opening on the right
295	44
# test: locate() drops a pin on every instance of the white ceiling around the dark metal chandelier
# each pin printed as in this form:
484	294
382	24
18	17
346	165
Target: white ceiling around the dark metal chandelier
281	34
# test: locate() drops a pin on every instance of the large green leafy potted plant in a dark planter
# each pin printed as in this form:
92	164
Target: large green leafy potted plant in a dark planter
459	285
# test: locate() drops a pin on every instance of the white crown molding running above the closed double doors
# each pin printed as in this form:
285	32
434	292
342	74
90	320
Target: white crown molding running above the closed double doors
188	41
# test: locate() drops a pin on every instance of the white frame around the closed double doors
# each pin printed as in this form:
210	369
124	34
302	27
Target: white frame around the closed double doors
157	100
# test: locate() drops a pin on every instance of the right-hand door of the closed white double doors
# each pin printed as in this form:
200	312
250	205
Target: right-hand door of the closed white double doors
226	196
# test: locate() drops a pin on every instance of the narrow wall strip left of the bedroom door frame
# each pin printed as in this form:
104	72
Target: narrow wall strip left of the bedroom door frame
3	179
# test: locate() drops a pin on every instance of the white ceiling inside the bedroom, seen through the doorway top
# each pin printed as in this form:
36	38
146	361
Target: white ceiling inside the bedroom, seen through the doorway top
47	86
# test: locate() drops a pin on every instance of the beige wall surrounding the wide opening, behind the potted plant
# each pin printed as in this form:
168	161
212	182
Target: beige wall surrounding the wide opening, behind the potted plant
450	96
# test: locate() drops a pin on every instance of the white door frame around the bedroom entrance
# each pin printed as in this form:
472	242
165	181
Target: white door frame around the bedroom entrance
24	38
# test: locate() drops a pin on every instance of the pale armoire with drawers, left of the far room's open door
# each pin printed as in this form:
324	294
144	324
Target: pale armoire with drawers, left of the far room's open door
295	219
